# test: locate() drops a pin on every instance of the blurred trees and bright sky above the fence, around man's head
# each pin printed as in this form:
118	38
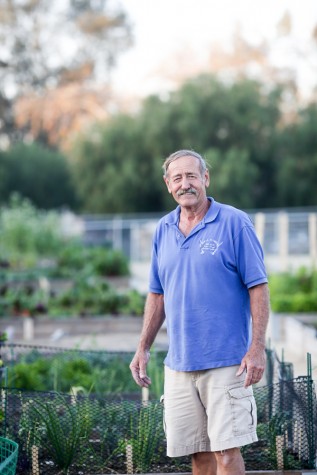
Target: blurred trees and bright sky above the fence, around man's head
94	95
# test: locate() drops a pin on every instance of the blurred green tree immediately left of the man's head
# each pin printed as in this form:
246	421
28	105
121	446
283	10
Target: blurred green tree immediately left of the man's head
112	171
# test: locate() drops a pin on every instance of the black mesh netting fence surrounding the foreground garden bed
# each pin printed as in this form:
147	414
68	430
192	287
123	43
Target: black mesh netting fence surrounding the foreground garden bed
84	432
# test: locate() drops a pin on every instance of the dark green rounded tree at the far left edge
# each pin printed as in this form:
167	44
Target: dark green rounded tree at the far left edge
36	173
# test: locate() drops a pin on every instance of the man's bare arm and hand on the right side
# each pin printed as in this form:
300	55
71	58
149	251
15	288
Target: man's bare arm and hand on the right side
254	361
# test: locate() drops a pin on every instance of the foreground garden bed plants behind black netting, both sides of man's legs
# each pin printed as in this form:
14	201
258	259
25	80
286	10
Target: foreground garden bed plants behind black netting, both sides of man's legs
76	434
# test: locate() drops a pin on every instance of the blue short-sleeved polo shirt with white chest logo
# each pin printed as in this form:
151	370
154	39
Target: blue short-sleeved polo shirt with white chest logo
205	279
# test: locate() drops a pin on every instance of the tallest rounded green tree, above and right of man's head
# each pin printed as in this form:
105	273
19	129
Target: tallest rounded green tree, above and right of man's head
243	117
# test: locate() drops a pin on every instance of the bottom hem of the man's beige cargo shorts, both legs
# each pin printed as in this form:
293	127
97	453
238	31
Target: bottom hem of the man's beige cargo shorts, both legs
237	441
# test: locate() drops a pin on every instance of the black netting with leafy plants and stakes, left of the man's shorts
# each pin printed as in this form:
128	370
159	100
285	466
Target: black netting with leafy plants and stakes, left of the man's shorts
60	433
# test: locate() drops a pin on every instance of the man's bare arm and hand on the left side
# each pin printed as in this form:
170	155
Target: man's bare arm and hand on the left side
154	317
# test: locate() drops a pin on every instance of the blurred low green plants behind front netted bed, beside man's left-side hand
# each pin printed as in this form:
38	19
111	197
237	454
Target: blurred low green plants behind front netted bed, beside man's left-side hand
99	373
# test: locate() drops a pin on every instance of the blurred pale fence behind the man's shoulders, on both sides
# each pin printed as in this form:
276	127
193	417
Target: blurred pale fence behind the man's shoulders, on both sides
289	238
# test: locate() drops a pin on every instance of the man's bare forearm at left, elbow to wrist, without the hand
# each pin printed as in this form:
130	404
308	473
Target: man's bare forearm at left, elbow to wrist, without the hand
154	317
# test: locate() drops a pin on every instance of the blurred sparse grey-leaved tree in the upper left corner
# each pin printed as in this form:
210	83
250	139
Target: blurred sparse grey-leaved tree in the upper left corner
50	44
